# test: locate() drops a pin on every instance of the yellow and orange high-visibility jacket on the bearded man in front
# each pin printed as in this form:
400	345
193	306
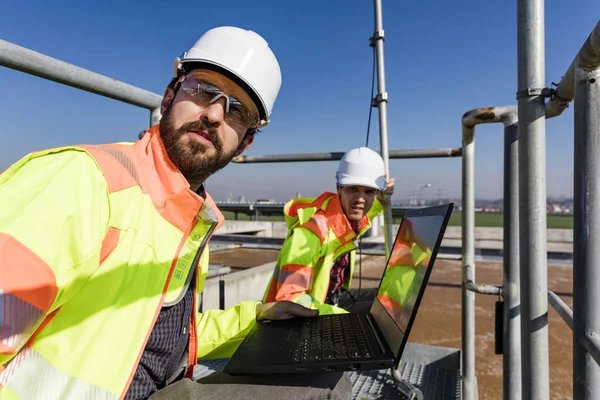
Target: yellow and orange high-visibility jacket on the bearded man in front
94	241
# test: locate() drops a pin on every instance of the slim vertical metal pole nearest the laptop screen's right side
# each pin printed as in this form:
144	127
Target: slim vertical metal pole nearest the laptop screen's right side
468	258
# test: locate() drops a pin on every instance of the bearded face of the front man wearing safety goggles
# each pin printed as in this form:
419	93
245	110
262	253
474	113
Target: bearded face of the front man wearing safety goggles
205	124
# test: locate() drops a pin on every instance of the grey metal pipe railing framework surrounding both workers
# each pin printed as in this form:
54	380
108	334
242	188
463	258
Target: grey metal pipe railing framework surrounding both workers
525	366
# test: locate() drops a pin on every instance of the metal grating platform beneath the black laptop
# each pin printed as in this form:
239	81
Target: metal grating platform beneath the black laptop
432	372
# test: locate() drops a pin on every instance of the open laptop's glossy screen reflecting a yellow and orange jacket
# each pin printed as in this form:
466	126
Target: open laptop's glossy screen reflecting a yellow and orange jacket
407	272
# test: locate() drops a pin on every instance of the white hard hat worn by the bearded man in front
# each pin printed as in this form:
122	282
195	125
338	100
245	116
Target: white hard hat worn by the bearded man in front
242	55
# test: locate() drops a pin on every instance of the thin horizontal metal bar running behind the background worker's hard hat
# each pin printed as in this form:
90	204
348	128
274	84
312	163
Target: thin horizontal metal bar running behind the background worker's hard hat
336	156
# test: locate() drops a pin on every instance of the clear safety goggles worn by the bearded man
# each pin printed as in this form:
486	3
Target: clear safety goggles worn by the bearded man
206	94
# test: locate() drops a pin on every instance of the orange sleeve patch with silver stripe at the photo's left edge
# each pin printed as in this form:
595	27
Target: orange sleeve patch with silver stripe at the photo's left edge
27	290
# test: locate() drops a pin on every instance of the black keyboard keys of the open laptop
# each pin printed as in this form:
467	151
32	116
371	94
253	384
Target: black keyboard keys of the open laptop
331	337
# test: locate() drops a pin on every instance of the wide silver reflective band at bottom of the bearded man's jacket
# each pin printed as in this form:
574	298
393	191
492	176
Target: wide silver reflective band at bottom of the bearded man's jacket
31	376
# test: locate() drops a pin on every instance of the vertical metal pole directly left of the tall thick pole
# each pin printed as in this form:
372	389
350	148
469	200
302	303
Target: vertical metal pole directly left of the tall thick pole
511	373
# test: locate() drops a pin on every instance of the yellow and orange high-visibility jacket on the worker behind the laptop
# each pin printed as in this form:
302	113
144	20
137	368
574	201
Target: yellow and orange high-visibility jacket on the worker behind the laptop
318	234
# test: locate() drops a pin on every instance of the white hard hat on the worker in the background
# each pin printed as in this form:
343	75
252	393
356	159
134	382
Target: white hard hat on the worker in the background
361	167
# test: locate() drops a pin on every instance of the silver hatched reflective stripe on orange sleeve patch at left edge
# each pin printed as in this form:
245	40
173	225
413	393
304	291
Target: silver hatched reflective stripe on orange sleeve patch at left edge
17	320
